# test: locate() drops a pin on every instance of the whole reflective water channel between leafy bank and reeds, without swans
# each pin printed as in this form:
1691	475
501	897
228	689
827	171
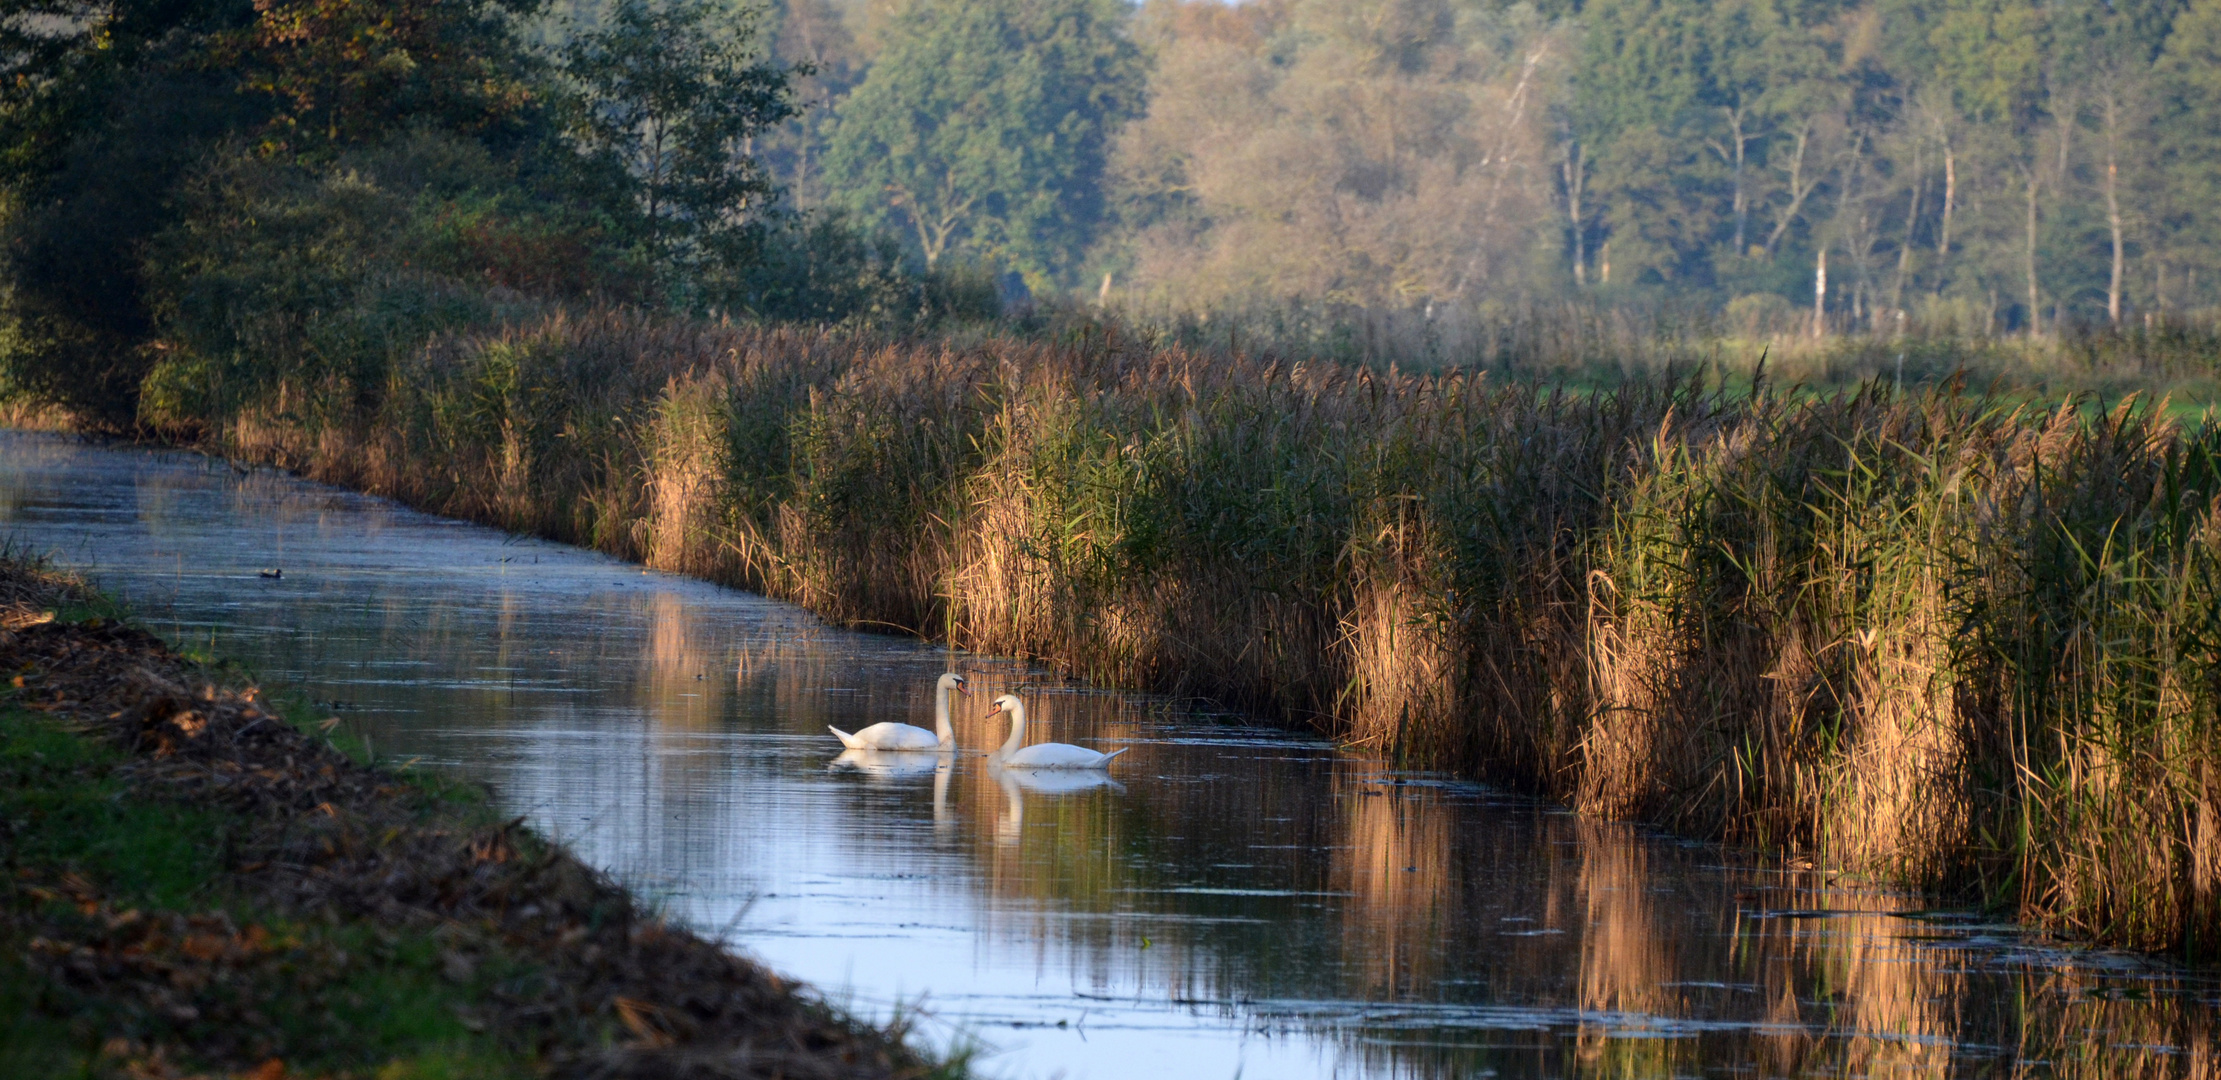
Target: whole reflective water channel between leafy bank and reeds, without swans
1229	903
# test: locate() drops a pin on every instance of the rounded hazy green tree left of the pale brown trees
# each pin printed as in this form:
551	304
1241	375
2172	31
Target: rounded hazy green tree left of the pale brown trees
985	128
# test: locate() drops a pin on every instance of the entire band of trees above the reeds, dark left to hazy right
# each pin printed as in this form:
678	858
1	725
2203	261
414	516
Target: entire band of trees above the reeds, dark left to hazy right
212	197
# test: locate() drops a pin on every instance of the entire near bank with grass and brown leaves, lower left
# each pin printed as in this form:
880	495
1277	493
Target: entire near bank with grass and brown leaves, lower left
197	886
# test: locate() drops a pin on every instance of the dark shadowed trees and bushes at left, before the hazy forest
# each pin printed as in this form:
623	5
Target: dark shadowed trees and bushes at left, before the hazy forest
212	203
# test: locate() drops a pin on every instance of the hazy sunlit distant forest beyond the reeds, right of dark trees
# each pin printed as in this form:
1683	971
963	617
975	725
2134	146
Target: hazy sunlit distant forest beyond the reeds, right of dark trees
1989	166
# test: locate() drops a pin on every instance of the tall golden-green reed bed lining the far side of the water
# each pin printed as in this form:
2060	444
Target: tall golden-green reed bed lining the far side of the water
1918	634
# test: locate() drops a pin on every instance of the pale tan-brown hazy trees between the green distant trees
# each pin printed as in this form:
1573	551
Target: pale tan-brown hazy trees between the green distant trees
1358	152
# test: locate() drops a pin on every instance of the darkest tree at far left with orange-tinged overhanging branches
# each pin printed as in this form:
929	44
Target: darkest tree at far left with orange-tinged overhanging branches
105	108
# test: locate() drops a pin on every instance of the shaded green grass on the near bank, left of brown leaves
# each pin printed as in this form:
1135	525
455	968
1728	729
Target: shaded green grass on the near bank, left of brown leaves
323	997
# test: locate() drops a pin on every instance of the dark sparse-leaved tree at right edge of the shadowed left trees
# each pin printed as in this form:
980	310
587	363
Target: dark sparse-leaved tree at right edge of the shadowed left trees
676	97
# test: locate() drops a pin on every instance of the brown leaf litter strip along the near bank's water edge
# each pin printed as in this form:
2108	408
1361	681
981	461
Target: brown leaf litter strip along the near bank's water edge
616	994
